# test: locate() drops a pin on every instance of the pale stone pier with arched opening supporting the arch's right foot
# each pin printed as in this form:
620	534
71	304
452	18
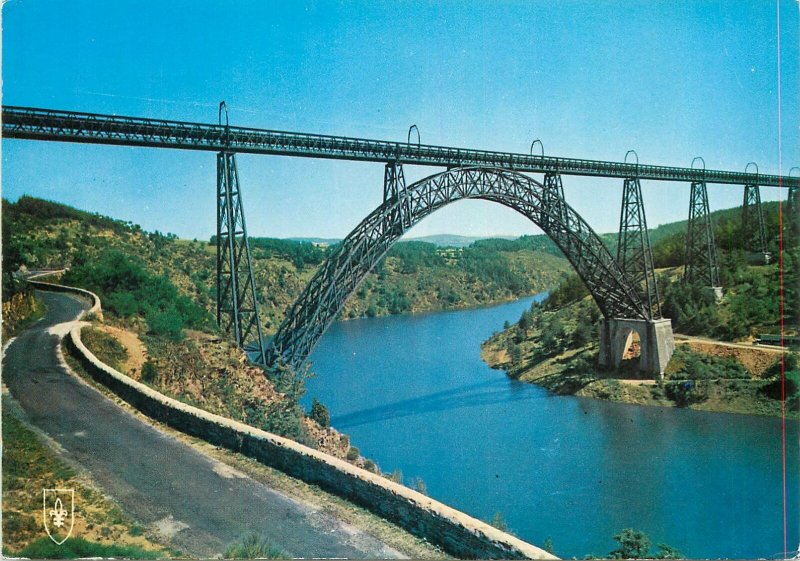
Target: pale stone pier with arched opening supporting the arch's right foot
655	338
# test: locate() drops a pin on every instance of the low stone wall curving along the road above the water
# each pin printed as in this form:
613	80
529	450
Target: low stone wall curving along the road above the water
455	532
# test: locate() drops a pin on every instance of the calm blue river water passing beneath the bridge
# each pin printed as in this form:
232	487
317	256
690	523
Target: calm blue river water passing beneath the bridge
413	394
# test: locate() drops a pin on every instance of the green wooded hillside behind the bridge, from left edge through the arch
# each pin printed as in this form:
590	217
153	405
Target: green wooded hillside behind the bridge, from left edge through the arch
415	276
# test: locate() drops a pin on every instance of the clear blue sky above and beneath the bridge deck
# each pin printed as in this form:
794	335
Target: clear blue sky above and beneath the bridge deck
591	79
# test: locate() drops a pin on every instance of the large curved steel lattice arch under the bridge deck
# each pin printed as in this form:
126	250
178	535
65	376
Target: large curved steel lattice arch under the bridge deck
324	296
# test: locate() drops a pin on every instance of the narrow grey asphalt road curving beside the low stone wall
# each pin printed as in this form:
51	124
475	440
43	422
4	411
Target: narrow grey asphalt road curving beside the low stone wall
203	504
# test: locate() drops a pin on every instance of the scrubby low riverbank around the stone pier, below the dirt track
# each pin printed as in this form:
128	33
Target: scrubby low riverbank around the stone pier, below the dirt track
703	374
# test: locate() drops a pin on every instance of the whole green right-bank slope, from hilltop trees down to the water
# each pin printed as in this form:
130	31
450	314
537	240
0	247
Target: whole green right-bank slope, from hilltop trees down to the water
723	380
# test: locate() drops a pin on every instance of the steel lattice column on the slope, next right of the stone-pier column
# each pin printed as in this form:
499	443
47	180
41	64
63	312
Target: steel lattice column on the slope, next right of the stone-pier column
701	248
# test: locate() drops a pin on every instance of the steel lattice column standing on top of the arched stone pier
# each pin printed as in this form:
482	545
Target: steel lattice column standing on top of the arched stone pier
634	255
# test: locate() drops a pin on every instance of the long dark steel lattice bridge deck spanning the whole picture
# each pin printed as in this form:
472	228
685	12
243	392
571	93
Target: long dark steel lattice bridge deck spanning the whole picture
70	126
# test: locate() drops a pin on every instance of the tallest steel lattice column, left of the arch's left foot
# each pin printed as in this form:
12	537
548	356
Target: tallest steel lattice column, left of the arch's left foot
237	306
